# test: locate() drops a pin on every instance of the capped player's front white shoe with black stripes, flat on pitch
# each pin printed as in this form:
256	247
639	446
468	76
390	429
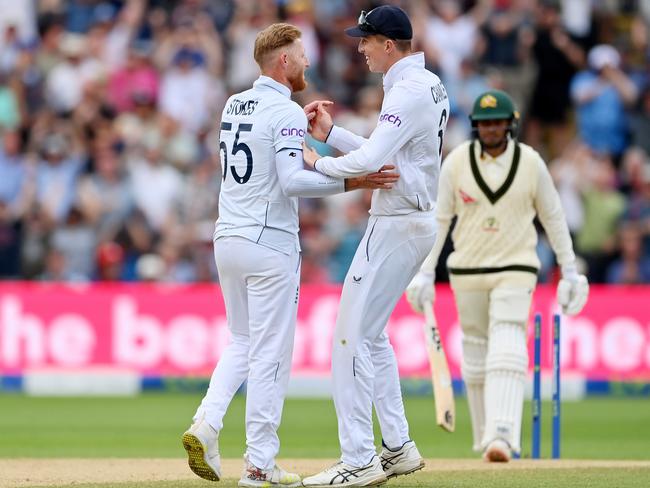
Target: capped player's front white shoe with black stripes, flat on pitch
341	474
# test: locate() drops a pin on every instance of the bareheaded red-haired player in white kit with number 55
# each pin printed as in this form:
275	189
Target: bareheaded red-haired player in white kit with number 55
257	254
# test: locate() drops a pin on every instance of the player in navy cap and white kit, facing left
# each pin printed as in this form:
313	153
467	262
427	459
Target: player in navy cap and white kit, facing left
400	232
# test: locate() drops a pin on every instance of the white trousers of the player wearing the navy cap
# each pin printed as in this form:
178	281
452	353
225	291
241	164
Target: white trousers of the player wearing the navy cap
364	368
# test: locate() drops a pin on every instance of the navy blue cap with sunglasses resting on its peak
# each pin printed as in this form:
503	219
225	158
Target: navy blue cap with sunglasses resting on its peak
386	20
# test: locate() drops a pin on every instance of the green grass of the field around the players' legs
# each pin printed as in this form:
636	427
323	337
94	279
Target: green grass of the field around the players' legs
150	426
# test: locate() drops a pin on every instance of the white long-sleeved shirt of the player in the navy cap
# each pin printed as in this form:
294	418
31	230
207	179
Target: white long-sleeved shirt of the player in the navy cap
408	135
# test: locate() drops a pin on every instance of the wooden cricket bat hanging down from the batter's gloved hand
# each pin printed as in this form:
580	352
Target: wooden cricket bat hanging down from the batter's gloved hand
442	389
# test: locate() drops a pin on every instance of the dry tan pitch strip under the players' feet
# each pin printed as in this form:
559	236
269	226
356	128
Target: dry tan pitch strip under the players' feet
132	472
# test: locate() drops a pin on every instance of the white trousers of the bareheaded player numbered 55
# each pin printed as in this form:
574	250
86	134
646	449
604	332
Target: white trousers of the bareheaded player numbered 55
260	290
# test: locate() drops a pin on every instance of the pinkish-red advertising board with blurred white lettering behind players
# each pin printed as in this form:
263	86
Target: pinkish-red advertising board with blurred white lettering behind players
182	330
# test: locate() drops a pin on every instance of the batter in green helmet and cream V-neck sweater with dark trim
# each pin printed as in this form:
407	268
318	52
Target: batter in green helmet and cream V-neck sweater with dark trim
495	186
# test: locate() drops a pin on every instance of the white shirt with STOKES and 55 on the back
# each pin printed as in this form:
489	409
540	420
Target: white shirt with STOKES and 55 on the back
261	138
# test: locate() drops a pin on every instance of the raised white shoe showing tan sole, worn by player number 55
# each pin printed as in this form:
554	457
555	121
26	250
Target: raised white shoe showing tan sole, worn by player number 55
201	442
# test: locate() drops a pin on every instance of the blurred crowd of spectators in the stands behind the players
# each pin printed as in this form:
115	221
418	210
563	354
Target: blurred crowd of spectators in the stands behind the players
109	163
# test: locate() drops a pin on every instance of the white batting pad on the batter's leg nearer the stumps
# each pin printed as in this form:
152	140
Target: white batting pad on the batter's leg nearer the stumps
506	365
